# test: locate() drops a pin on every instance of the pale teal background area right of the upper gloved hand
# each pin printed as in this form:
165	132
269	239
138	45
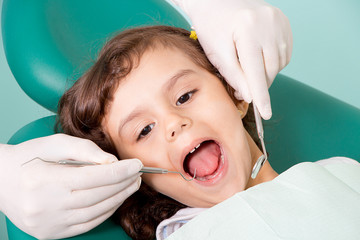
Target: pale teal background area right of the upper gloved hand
326	53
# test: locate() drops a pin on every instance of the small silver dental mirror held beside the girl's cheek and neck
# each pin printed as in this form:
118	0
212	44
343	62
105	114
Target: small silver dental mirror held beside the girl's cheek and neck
260	130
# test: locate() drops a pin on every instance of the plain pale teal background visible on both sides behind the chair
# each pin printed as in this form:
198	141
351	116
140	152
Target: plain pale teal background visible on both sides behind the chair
325	56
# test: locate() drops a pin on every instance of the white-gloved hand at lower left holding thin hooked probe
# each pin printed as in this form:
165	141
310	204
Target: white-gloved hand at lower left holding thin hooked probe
55	201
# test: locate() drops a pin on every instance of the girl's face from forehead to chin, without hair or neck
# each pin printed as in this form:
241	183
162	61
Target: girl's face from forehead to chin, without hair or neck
167	107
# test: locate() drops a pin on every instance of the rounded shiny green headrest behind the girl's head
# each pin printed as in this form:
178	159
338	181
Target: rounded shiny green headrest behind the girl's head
49	43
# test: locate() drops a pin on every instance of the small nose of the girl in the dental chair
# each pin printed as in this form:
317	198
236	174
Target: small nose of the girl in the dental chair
175	125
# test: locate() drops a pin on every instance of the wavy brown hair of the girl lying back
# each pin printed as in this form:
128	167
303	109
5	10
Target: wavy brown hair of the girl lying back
83	107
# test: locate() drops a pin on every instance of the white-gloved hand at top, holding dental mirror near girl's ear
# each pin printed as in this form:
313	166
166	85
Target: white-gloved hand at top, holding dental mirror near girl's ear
248	41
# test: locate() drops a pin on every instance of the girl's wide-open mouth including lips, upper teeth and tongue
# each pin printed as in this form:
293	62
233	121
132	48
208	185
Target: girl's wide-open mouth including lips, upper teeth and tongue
208	160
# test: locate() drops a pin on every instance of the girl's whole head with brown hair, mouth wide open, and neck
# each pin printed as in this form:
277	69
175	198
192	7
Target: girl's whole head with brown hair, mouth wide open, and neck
153	95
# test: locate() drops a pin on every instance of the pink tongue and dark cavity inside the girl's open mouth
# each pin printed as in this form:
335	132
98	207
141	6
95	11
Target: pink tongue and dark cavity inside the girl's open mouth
205	159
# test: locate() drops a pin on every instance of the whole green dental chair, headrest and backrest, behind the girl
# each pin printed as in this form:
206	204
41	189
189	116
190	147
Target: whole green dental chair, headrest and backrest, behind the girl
48	44
